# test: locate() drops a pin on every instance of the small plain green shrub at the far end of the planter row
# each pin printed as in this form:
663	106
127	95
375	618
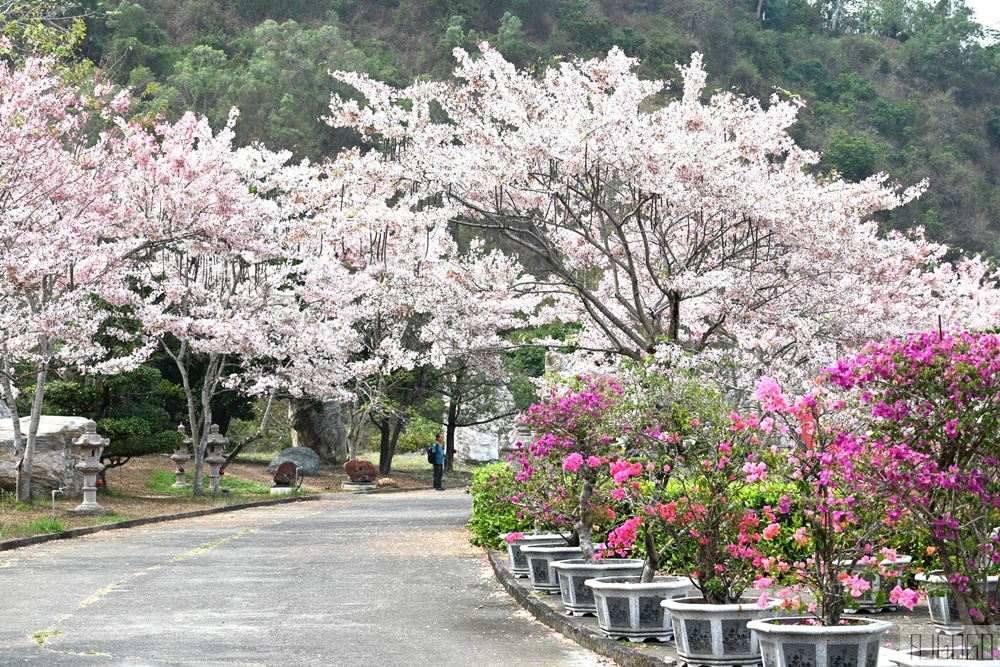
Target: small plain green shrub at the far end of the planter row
492	513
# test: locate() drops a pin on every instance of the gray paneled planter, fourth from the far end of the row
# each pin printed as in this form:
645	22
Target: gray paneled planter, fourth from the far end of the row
628	609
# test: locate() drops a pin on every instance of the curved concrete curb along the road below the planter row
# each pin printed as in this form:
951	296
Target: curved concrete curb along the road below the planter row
609	648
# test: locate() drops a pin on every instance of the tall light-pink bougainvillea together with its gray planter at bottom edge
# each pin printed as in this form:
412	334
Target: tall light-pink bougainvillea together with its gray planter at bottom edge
825	546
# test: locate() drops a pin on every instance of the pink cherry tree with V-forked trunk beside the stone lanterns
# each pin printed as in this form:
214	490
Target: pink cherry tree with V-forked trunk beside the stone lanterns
206	263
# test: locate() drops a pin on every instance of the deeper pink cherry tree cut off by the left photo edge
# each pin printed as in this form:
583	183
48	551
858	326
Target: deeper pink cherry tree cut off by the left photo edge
56	208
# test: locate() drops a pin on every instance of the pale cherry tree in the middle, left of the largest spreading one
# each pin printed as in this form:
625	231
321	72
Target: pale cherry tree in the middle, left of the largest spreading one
388	290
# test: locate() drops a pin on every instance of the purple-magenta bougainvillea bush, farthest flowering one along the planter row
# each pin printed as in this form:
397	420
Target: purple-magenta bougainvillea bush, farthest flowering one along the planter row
563	472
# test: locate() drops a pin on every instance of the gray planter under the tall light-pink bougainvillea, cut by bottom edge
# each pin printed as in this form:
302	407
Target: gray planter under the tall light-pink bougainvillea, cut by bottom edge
792	642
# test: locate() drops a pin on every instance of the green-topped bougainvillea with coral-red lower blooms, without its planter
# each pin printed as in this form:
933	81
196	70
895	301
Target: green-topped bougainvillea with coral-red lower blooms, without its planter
685	479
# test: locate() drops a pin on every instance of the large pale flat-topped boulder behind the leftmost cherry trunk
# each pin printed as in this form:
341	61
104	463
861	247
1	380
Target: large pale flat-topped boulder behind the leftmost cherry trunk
54	463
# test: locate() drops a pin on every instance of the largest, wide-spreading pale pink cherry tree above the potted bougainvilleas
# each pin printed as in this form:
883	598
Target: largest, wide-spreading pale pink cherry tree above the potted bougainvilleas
694	227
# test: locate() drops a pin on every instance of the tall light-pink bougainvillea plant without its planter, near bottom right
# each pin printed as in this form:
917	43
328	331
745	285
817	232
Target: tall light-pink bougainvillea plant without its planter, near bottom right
823	535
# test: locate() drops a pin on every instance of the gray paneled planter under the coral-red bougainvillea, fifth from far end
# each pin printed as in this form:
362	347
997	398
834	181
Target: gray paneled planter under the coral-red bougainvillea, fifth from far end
716	634
